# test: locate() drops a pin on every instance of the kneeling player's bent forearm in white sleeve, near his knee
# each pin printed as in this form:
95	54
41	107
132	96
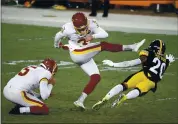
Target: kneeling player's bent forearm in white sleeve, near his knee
45	88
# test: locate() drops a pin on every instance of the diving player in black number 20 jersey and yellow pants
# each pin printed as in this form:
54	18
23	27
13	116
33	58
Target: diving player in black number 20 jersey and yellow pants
154	63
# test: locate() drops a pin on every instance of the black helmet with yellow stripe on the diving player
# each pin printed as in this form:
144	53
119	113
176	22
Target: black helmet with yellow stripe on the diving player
158	46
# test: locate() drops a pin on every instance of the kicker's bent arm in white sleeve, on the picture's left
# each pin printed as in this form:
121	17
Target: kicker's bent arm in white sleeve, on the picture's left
59	35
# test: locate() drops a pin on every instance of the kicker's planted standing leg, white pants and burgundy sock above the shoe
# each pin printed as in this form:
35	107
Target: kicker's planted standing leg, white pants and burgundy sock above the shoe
92	70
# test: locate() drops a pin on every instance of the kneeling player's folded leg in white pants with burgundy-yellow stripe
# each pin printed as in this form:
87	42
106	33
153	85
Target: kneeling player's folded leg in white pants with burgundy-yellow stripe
25	102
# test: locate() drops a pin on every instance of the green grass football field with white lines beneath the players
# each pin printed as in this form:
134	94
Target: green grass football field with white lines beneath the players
21	43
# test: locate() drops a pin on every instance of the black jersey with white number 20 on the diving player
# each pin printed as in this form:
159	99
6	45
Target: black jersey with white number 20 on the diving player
155	65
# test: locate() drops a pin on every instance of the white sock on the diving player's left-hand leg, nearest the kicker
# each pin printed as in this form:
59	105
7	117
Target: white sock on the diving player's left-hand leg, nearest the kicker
114	91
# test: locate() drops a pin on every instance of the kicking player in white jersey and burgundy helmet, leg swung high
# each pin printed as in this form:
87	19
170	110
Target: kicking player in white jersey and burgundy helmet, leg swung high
80	32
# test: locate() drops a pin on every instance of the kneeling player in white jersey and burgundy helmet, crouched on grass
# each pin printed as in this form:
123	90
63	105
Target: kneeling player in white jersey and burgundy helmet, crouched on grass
20	89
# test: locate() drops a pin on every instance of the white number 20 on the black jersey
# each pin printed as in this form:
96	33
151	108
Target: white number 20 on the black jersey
158	65
